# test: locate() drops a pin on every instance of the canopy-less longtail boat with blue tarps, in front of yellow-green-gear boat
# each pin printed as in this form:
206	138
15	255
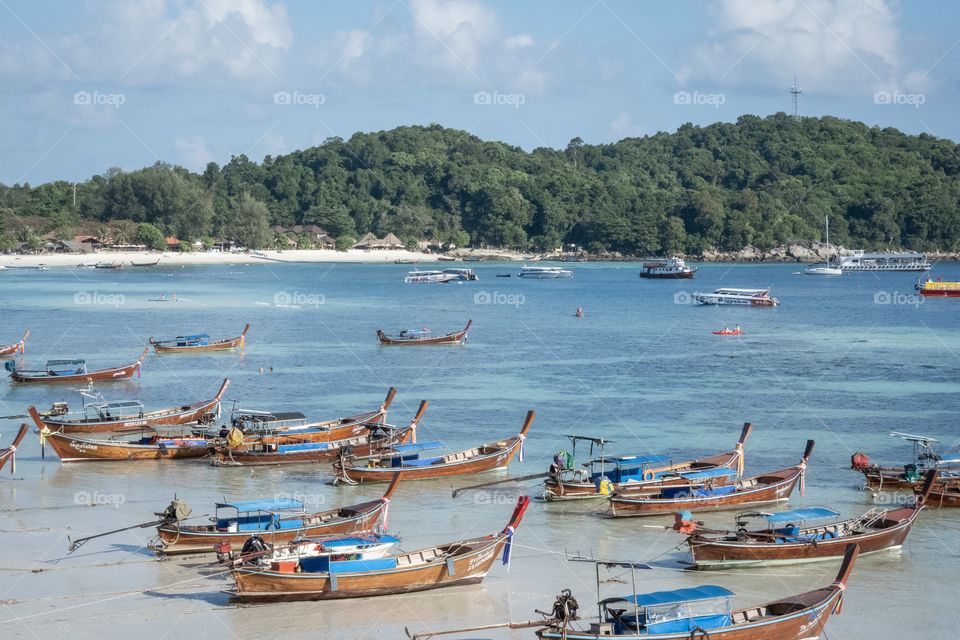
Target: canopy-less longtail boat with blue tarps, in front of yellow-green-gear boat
770	487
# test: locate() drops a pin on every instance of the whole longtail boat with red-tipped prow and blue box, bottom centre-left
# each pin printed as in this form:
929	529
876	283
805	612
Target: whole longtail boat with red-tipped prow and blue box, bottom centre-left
457	563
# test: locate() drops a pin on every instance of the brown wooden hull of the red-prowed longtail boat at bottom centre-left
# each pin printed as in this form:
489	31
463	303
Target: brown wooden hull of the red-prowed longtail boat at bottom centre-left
469	568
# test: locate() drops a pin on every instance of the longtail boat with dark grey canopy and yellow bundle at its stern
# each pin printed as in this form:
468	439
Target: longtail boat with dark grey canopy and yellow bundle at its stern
268	427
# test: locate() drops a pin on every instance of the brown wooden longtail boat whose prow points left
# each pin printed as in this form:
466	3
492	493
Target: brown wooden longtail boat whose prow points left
154	447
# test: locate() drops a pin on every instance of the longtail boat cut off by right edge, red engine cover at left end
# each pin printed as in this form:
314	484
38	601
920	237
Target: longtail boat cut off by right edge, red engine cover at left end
907	477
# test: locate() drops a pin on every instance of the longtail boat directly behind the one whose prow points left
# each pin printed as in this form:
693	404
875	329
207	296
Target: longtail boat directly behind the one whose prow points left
104	417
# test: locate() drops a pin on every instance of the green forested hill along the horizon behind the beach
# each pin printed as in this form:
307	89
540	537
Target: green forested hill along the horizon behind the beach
759	181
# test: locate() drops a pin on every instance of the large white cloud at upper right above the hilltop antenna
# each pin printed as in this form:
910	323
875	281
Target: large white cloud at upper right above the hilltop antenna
835	46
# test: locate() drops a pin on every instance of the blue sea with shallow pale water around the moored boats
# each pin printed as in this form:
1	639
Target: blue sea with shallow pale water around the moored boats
843	361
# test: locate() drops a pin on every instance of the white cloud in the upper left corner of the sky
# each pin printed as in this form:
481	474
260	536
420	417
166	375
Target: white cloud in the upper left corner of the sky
161	42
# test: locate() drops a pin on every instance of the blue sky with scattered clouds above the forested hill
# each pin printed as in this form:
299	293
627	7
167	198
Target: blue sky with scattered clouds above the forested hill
98	84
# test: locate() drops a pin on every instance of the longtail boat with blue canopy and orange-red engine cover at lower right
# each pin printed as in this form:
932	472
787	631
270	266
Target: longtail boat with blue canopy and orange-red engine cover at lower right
787	539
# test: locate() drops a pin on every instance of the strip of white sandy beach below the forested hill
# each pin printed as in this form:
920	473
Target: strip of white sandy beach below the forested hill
198	257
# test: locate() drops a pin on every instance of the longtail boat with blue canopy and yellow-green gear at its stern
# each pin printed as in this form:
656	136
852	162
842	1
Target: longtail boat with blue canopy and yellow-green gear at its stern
605	475
